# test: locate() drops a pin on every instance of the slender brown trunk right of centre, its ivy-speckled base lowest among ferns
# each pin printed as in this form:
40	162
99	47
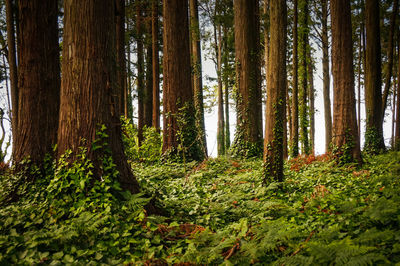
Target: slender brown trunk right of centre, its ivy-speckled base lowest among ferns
276	90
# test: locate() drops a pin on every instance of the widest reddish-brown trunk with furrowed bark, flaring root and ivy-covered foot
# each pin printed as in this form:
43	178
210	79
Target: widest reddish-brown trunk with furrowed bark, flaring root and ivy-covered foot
87	87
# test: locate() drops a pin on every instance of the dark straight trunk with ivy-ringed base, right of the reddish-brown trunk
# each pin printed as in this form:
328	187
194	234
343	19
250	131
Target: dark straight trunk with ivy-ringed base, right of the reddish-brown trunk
373	103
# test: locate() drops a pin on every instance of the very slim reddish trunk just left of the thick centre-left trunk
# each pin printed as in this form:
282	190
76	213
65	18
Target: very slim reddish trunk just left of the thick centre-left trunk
156	65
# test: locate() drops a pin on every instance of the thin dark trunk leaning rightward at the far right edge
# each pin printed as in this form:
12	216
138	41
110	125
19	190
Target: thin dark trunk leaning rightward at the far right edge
389	67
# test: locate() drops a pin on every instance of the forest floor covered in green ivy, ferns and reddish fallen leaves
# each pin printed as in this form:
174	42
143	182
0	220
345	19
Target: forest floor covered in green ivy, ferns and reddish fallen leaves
218	212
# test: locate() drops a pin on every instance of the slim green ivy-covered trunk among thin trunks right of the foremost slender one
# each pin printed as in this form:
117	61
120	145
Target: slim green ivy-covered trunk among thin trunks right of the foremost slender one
305	144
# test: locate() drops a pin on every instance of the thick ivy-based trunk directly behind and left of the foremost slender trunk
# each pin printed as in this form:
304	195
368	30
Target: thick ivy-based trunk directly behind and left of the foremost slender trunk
248	137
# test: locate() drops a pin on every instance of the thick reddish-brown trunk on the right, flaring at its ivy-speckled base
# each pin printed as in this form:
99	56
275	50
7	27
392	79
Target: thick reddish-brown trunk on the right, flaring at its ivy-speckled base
345	132
